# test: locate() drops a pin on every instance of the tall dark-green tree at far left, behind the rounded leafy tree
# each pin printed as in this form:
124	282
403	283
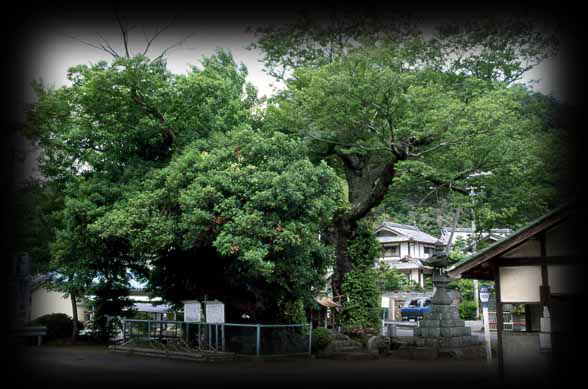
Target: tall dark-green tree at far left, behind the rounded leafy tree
101	135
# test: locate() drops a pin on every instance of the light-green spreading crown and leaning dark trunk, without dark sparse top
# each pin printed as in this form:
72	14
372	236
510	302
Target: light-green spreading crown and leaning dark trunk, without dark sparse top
375	120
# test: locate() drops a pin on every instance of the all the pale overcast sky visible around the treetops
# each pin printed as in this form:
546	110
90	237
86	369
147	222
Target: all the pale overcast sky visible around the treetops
53	43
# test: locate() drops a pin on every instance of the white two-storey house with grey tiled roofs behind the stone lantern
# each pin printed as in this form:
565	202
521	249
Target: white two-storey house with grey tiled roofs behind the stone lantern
404	247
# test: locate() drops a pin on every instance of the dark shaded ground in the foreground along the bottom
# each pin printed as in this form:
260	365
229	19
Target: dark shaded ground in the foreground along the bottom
97	366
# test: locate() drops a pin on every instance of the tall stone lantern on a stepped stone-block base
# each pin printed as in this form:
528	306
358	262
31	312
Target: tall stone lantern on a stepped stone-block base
442	332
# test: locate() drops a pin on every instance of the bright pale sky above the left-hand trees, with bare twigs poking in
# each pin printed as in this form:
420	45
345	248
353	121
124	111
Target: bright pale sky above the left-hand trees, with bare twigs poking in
55	43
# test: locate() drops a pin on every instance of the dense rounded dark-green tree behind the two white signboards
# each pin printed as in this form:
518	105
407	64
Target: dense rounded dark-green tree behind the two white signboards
236	218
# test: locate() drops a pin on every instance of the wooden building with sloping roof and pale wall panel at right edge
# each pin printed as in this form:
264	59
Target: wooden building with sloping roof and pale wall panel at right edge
538	268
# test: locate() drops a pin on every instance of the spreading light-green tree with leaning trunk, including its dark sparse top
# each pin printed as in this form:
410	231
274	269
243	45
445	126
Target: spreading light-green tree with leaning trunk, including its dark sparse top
398	107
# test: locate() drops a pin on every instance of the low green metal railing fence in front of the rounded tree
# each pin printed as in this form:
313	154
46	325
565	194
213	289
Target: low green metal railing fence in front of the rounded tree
248	339
